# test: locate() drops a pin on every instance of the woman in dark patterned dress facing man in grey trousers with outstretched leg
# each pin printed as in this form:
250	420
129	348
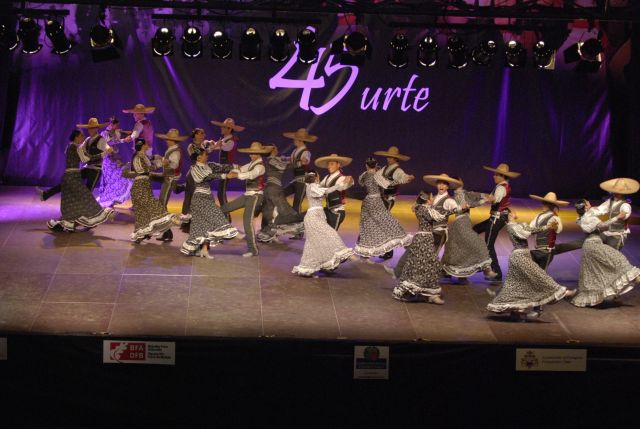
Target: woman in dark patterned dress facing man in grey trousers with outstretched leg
208	224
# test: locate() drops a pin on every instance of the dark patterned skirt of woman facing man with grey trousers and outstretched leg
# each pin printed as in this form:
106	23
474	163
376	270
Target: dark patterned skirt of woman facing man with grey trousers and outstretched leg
208	224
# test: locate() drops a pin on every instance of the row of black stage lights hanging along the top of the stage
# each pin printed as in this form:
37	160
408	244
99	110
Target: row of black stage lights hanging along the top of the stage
352	48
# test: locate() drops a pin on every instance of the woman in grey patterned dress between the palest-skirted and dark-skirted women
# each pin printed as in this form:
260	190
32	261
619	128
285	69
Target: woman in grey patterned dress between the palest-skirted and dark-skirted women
379	231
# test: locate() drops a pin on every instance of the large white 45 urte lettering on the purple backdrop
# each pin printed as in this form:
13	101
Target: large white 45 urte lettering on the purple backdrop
407	98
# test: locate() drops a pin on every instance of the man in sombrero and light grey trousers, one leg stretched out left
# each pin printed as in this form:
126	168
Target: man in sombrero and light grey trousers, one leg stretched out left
252	173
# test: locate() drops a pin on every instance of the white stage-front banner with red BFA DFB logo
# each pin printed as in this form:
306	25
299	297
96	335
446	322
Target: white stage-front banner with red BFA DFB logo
146	352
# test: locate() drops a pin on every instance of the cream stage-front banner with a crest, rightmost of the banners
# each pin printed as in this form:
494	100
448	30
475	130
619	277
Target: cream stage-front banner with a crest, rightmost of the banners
551	360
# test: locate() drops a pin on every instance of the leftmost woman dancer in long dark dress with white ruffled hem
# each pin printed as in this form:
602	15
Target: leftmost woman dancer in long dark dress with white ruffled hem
77	205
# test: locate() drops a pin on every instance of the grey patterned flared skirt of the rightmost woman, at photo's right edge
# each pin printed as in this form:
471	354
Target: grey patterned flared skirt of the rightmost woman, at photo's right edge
604	273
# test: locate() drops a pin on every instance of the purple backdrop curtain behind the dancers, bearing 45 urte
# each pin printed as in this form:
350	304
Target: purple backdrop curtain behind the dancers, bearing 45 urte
552	126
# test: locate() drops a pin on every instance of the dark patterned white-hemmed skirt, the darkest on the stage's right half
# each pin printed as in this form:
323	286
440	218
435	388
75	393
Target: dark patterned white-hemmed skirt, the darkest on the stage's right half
419	277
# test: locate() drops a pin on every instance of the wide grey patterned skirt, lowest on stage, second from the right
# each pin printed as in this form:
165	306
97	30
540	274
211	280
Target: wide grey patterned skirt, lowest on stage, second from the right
526	286
